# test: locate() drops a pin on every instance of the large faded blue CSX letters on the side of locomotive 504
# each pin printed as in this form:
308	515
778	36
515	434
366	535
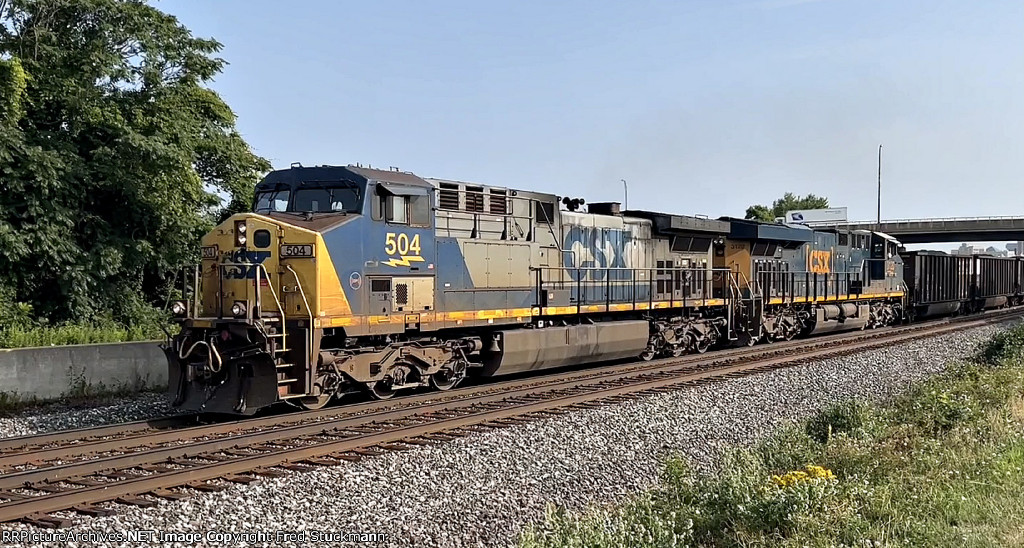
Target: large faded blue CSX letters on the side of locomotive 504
598	248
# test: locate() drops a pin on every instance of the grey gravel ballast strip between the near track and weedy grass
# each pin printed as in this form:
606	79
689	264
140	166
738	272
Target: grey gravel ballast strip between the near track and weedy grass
485	489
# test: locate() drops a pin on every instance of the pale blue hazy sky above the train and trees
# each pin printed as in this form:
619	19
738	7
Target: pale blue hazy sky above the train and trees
703	107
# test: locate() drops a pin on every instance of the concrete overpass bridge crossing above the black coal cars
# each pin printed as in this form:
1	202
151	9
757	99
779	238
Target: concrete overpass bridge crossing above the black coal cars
1009	229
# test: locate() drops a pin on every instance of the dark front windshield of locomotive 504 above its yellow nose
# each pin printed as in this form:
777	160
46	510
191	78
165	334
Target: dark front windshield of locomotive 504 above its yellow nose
313	197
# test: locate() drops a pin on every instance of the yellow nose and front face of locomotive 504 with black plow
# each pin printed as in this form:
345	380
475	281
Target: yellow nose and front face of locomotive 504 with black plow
248	334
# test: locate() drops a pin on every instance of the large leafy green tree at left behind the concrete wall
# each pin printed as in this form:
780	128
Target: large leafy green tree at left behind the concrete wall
113	153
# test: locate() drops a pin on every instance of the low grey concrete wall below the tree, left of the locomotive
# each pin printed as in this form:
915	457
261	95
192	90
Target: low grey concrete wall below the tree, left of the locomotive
80	370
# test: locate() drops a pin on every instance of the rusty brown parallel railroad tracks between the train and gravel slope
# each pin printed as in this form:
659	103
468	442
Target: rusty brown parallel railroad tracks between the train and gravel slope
140	463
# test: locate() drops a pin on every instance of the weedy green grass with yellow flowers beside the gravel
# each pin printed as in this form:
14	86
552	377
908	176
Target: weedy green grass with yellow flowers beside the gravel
943	466
